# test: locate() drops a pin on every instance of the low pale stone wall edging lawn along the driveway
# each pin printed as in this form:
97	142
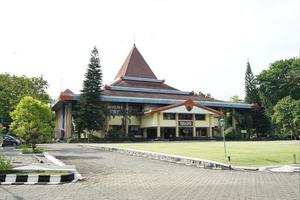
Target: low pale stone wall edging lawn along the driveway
166	157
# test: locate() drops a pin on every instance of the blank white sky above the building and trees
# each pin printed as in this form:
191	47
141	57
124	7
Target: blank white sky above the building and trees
193	45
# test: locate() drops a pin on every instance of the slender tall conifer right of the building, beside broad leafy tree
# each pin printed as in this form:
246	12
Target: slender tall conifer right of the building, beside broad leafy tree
261	123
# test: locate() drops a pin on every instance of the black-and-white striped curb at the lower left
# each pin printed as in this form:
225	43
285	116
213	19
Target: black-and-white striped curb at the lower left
29	179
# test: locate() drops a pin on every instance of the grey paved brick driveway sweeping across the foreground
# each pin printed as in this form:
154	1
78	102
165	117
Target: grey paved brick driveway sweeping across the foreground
116	176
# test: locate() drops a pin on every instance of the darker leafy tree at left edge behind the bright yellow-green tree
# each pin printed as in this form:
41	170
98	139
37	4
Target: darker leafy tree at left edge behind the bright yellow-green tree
14	88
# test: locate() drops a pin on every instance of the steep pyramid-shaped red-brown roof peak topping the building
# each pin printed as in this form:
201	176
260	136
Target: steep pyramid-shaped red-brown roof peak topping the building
135	66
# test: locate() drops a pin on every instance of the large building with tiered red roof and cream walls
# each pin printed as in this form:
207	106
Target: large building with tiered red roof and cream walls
143	106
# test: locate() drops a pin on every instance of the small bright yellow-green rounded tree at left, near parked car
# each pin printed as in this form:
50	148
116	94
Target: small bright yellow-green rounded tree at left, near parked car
32	120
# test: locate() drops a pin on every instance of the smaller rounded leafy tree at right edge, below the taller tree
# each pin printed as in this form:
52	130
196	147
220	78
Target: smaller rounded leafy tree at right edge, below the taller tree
286	117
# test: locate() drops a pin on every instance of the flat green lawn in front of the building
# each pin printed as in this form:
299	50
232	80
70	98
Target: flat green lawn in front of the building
242	153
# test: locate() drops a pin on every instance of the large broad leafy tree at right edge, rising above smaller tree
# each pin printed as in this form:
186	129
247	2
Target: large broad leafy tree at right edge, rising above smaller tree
280	80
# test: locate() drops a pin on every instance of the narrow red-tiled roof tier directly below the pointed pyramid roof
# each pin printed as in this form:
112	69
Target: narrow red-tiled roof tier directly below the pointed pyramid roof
142	84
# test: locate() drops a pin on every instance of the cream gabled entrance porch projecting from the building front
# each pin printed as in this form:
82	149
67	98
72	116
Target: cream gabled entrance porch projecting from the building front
183	120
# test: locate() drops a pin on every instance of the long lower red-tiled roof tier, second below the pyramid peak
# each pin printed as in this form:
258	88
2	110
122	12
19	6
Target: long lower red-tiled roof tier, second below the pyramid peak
108	92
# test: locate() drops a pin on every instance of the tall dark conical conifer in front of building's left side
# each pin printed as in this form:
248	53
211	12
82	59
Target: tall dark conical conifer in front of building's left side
91	111
